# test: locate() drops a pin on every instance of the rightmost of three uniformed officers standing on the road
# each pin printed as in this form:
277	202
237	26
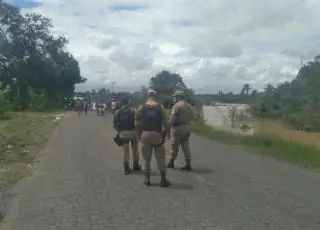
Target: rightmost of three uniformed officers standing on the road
181	116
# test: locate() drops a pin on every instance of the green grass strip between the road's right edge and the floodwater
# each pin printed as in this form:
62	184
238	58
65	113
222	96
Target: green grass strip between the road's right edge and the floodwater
293	152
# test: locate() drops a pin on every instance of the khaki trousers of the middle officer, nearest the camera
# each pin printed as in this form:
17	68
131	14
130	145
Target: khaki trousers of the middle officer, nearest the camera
149	142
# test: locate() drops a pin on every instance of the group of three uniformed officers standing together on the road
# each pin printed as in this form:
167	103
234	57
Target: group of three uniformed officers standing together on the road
149	126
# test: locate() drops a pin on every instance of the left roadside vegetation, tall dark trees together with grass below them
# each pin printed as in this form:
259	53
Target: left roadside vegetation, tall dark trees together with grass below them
36	74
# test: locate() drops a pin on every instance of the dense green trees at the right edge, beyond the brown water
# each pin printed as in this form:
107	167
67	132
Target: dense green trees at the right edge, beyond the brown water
296	102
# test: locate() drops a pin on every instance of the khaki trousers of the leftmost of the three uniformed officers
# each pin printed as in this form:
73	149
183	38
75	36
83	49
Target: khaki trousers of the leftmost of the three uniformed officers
128	137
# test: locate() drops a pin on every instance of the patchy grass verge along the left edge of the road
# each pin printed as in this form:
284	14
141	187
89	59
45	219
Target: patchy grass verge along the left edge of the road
21	138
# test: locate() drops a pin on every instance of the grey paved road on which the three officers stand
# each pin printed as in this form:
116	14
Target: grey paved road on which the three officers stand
79	185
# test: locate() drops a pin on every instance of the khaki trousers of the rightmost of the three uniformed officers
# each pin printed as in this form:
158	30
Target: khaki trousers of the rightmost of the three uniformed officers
180	137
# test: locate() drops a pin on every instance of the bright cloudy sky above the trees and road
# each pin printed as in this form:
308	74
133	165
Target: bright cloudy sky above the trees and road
213	44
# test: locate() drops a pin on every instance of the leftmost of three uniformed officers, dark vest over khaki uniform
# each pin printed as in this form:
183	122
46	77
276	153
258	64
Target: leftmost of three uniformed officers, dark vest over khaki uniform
124	124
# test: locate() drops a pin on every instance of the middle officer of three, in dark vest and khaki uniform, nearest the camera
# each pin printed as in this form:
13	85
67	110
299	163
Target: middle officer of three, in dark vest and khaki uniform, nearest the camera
150	120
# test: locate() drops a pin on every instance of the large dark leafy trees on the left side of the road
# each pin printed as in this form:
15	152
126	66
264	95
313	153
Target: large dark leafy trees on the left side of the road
36	70
